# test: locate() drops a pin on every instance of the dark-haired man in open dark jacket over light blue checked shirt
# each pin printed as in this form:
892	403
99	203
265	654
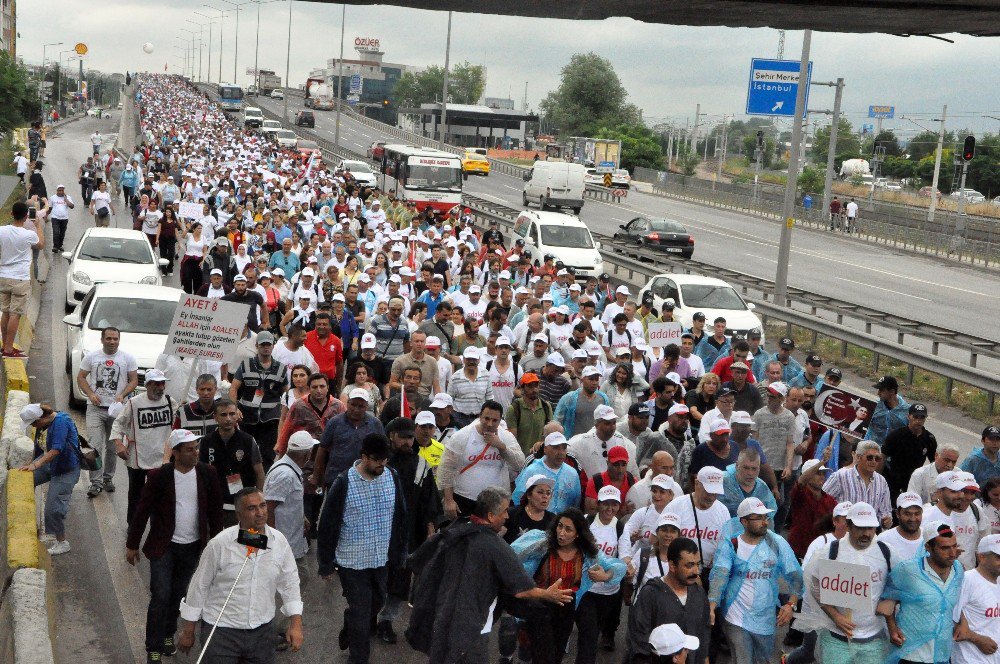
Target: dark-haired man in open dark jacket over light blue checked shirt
362	530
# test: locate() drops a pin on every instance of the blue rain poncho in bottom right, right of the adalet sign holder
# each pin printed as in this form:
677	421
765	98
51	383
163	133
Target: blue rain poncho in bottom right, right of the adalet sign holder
925	609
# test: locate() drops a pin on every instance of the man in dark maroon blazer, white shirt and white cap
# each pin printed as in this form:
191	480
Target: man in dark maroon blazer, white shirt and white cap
175	541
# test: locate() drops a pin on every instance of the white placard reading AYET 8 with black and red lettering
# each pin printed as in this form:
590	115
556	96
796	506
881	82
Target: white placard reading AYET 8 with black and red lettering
206	328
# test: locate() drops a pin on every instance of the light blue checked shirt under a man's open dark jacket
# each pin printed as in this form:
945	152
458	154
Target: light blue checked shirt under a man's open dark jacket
367	525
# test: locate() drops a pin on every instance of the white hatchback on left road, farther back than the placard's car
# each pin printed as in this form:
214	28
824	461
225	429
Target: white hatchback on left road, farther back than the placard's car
110	254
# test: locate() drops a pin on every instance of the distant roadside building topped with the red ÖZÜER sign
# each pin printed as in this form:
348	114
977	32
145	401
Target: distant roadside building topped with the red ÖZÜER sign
378	79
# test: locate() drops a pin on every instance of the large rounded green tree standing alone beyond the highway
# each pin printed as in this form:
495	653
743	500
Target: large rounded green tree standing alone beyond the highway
589	96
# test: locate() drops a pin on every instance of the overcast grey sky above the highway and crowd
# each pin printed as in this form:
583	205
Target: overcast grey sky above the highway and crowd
666	69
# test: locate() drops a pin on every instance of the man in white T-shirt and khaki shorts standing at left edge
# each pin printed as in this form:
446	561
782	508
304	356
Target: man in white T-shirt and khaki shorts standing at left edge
16	243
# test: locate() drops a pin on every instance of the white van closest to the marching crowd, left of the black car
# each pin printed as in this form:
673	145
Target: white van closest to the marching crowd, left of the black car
562	235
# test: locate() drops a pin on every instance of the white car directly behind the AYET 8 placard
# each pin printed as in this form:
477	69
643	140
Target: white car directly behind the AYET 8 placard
143	314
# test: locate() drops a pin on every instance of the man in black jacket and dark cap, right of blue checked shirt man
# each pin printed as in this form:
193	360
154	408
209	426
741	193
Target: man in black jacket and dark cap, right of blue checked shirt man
423	504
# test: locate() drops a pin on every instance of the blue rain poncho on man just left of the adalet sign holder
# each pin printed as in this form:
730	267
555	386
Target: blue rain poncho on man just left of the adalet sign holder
729	572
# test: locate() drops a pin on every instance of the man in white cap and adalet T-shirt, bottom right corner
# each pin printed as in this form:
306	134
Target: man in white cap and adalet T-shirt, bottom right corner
978	631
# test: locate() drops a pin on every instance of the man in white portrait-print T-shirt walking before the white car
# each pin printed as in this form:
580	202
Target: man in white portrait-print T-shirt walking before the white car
107	378
